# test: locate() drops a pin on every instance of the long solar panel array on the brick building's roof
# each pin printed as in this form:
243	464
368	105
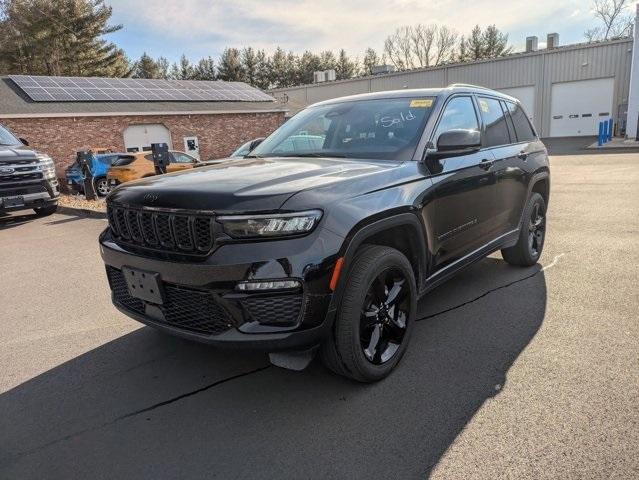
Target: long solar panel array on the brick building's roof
89	89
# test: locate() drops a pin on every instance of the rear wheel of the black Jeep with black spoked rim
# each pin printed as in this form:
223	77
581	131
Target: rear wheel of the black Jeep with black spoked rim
527	250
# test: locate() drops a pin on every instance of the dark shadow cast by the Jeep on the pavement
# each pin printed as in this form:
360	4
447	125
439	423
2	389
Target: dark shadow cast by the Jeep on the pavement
146	405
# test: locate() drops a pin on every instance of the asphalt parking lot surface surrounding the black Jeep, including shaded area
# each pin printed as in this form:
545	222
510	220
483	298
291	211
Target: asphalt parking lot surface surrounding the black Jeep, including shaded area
512	373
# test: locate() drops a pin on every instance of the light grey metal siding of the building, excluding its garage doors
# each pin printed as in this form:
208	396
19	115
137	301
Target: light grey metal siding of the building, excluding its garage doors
539	69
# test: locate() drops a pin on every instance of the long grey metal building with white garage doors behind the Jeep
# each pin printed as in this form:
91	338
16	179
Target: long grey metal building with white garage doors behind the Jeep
567	90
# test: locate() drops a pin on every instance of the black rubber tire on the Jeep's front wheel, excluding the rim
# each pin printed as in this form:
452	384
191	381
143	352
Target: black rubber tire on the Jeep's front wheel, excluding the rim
350	314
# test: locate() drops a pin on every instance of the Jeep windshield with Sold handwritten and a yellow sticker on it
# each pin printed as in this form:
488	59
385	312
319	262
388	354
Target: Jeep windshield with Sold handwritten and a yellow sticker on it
387	128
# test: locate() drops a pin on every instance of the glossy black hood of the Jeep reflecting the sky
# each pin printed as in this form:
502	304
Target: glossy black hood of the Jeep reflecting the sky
241	185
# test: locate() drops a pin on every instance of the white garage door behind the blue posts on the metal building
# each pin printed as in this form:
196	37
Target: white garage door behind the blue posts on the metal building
576	108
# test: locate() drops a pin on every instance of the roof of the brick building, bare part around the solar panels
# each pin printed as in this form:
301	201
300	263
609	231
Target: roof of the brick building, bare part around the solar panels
14	103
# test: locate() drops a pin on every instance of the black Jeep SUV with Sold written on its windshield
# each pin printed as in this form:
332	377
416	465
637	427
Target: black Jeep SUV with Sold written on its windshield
330	243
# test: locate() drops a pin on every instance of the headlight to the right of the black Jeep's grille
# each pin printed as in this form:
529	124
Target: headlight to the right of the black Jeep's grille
276	225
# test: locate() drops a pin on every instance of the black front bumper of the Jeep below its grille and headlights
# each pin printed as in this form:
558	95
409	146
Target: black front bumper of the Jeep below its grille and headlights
201	302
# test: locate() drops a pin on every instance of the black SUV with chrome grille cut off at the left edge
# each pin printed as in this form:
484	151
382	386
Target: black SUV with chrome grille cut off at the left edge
27	177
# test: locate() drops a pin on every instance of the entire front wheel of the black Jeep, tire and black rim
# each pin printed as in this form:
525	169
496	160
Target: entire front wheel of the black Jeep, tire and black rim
346	352
